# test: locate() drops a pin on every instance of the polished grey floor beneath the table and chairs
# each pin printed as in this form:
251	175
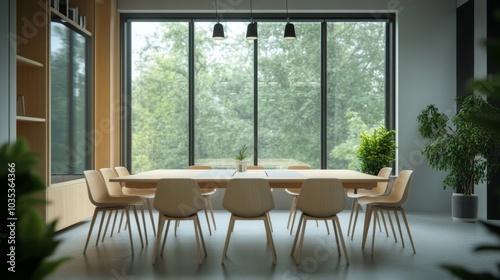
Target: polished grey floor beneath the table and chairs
437	238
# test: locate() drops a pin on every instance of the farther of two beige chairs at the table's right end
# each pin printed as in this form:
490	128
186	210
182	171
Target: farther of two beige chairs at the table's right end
355	195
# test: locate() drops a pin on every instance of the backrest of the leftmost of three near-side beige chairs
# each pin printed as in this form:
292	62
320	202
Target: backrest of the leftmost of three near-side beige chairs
178	197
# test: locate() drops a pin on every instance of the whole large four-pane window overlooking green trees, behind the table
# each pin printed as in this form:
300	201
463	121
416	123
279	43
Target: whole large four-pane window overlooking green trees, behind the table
195	100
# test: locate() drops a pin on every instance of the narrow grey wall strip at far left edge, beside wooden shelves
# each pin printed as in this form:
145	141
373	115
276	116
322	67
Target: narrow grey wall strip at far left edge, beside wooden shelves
7	72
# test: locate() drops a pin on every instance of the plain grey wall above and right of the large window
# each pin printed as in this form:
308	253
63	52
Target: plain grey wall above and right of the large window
426	72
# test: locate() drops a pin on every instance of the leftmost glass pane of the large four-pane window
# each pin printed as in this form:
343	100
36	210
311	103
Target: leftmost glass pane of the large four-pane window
159	99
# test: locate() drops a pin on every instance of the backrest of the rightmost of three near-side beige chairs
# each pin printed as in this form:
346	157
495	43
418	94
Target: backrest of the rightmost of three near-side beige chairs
321	197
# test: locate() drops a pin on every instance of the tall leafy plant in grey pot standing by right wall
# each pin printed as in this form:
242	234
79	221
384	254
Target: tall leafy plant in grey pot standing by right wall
463	149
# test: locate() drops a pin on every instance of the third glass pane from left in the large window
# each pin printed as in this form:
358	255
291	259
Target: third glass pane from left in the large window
289	96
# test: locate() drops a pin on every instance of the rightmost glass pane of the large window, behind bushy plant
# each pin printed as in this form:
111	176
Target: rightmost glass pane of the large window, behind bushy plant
356	87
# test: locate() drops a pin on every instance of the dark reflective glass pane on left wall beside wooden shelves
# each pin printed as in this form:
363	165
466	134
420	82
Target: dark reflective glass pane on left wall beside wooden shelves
70	148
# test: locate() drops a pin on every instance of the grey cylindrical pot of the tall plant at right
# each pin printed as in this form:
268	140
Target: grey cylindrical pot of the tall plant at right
464	207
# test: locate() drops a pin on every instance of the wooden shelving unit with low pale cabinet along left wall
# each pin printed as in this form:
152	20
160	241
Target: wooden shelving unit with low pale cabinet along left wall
68	201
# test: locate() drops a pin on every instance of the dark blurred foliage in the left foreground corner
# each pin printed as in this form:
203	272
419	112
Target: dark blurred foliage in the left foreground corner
27	252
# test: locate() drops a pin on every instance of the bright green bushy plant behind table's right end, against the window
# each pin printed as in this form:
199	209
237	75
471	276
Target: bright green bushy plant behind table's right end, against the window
376	150
